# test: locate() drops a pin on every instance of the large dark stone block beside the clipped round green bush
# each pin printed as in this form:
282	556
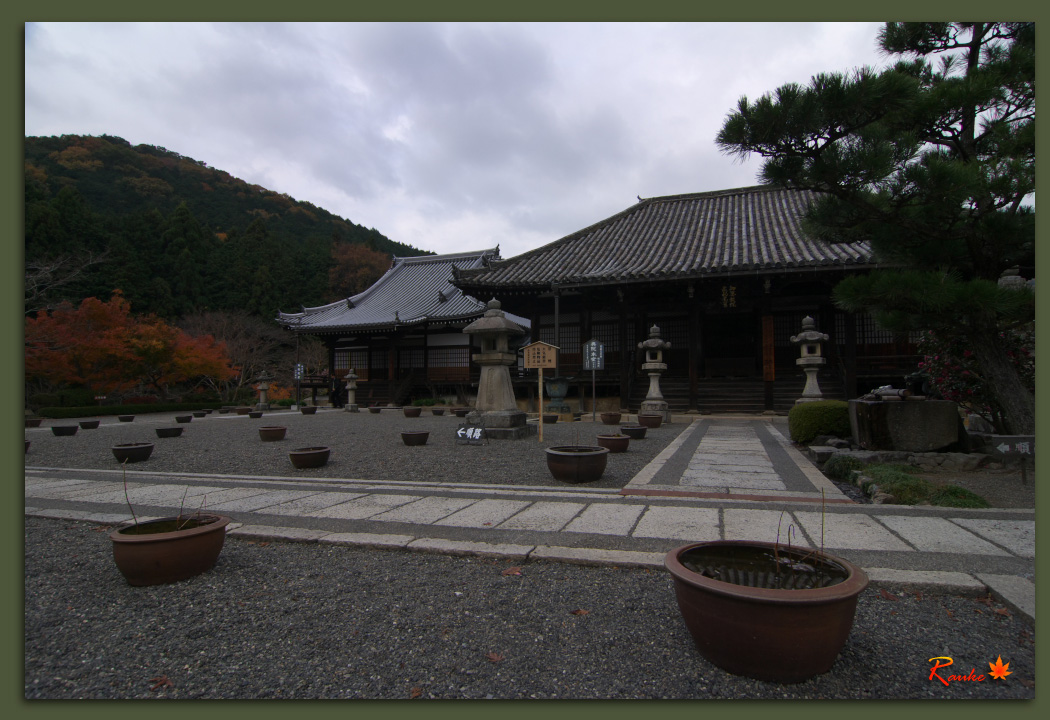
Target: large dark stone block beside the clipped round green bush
916	427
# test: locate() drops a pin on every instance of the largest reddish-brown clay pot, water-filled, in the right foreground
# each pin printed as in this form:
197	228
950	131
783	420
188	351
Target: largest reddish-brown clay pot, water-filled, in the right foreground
773	613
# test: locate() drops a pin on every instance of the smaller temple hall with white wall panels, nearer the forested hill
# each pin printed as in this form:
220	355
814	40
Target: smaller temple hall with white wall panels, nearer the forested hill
404	336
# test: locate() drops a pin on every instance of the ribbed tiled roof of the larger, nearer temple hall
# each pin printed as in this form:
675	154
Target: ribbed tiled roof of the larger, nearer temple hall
678	238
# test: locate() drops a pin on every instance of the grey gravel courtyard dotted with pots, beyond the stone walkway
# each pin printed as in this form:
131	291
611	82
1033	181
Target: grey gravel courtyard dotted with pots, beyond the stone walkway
364	447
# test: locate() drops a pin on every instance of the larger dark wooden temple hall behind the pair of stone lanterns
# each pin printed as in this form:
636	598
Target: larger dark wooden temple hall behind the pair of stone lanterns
727	278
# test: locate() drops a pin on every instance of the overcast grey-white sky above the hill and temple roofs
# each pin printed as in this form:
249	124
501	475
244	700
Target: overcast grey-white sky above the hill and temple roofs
446	137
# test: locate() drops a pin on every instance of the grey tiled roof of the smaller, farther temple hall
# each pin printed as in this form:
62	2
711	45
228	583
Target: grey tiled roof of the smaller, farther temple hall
415	290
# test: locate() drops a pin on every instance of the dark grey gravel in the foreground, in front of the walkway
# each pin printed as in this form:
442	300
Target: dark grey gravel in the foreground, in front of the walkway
305	622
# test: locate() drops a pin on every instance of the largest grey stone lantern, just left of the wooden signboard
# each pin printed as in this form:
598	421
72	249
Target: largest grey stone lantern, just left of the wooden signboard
496	395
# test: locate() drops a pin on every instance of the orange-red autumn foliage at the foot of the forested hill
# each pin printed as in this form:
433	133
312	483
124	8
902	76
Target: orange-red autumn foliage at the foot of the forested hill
102	346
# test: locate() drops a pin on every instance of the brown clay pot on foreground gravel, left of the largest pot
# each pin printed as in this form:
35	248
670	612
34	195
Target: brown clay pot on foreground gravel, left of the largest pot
170	549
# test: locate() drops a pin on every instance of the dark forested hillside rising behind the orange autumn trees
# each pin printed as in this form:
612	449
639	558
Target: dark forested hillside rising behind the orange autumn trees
179	238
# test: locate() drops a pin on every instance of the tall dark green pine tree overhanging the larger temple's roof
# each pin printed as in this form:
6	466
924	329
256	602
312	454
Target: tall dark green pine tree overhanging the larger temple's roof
932	162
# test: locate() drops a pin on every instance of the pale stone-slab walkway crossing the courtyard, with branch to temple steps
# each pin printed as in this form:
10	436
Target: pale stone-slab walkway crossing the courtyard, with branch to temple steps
722	479
